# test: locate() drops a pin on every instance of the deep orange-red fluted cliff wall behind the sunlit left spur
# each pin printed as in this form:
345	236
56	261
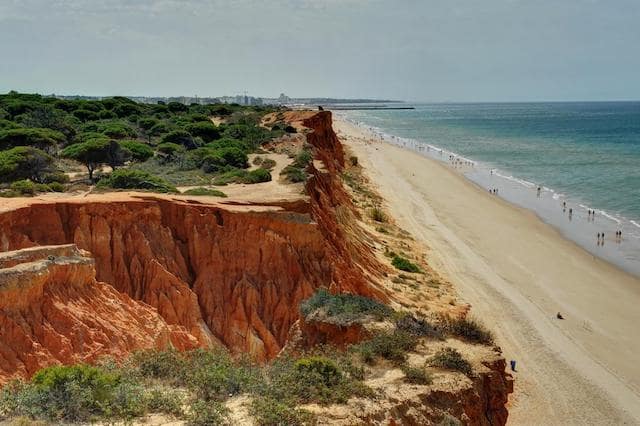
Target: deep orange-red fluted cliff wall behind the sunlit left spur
224	274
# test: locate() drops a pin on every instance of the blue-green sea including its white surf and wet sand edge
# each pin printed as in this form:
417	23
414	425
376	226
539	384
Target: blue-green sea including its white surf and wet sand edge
584	154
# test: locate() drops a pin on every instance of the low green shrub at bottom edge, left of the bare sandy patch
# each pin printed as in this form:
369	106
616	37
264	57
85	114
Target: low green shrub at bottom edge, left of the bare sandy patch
267	411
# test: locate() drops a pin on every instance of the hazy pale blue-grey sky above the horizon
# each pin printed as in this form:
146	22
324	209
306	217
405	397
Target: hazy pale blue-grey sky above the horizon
414	50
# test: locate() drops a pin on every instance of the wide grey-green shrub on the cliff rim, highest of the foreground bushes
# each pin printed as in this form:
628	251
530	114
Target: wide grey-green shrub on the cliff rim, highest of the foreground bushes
344	307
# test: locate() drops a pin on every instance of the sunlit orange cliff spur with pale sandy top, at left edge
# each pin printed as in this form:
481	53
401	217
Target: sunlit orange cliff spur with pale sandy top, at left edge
53	310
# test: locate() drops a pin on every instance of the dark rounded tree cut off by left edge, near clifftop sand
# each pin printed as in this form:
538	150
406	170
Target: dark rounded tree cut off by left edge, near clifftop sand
25	162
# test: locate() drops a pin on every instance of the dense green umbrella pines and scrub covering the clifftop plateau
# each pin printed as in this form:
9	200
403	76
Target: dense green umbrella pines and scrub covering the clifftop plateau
45	140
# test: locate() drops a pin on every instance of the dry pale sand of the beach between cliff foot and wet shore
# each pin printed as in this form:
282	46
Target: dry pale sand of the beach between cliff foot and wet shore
517	272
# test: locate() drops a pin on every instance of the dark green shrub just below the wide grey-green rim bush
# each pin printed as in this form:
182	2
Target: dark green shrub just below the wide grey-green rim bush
388	345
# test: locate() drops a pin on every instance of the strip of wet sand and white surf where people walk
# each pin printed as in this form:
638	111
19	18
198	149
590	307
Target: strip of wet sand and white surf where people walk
579	228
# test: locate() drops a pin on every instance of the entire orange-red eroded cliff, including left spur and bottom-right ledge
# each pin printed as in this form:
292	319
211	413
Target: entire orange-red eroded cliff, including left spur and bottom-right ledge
82	278
